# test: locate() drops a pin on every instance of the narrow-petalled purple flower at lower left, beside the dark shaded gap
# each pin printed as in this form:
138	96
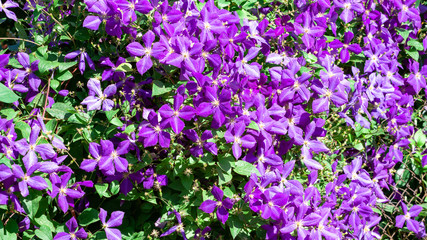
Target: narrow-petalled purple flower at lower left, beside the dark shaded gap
64	192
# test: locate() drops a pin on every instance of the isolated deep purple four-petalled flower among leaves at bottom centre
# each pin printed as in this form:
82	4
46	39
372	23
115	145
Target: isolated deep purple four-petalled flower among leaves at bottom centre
209	206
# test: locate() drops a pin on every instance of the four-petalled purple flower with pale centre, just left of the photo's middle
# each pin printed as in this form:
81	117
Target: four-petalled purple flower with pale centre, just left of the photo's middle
179	111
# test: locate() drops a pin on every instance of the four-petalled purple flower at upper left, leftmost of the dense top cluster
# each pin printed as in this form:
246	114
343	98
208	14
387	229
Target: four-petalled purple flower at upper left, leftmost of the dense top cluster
136	49
